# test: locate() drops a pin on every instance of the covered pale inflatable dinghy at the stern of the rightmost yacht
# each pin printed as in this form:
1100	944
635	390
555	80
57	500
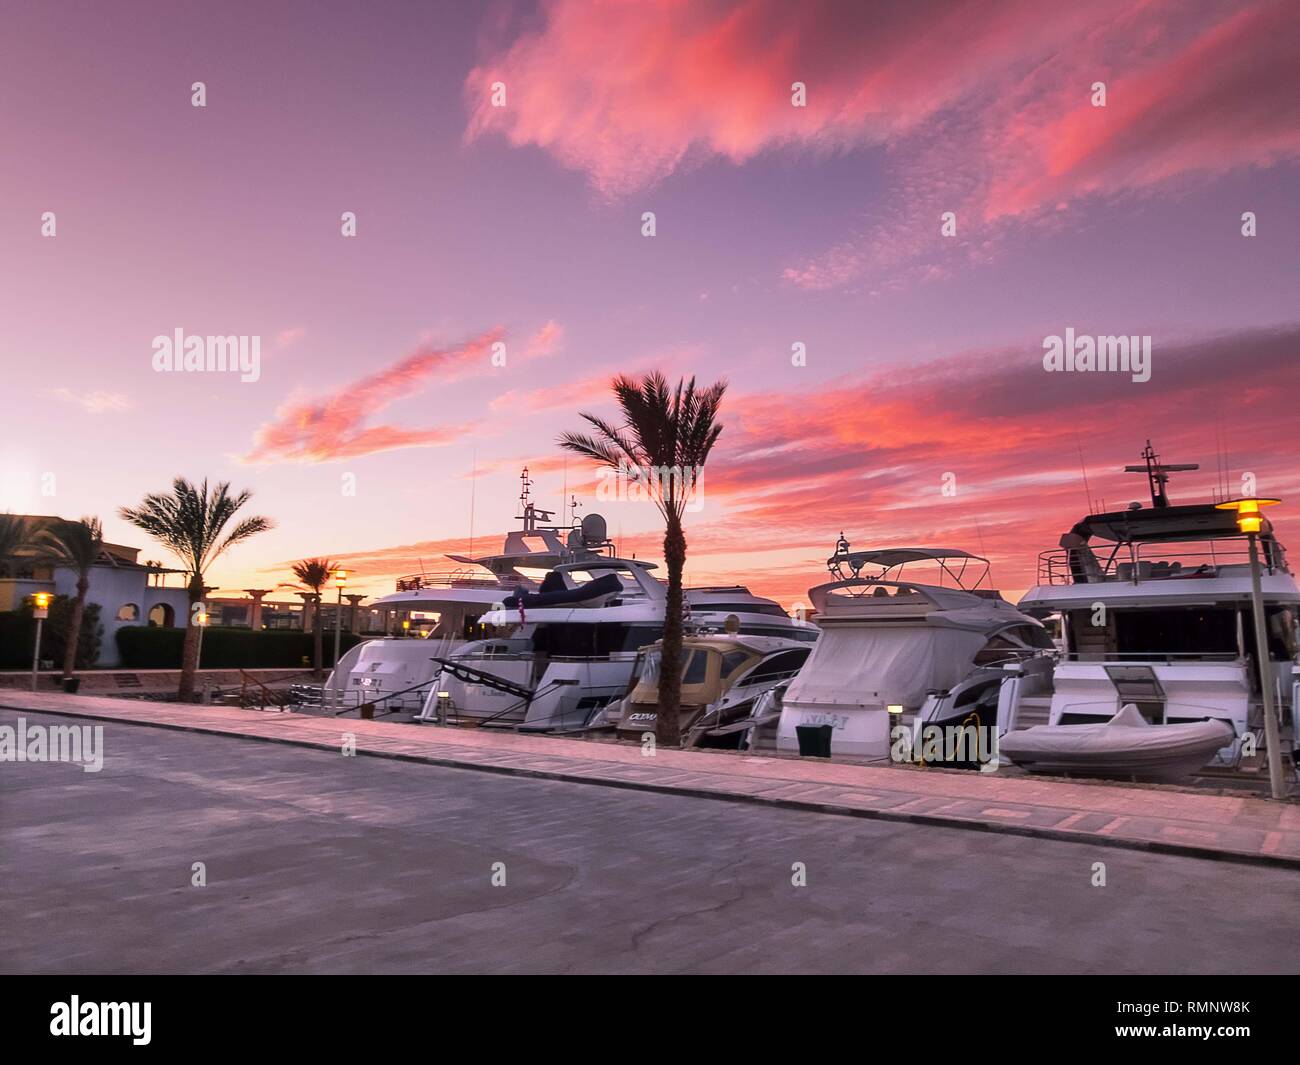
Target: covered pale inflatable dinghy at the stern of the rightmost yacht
1128	746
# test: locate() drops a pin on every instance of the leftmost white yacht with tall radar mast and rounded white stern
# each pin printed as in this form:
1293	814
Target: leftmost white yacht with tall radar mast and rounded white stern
434	613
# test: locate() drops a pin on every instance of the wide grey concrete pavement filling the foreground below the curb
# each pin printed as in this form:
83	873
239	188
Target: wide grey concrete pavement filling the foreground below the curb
317	863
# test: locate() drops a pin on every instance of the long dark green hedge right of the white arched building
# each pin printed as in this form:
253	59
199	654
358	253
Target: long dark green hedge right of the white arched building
149	648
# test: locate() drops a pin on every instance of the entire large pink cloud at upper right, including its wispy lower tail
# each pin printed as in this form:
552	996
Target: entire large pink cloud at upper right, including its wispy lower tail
983	105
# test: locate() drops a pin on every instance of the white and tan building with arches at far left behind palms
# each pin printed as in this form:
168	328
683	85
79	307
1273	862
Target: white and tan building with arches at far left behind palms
127	591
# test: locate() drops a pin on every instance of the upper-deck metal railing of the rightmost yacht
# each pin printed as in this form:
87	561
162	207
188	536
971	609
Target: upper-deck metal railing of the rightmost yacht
1136	564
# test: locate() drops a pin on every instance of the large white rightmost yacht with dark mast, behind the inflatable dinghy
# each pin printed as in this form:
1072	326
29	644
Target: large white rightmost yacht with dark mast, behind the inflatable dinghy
1155	604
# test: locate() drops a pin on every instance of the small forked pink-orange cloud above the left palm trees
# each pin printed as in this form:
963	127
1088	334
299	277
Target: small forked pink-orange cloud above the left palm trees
335	427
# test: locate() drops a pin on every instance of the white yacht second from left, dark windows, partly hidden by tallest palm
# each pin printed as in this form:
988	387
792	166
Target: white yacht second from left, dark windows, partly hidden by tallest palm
560	656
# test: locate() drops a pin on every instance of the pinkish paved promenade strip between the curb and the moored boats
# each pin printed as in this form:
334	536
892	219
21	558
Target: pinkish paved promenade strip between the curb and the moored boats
1162	820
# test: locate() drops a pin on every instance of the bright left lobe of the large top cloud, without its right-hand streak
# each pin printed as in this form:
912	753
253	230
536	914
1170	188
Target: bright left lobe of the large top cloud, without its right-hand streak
679	81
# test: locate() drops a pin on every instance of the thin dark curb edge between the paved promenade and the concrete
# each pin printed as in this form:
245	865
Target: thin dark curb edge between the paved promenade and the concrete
935	821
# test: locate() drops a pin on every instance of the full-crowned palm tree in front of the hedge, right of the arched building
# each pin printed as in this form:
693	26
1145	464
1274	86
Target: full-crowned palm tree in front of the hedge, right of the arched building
190	522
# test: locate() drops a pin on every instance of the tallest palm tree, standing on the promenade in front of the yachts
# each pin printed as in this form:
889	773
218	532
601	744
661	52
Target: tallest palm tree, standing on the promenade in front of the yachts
665	439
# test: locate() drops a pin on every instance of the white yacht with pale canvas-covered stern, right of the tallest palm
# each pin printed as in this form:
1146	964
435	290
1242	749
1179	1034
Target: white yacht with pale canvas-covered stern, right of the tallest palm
898	652
